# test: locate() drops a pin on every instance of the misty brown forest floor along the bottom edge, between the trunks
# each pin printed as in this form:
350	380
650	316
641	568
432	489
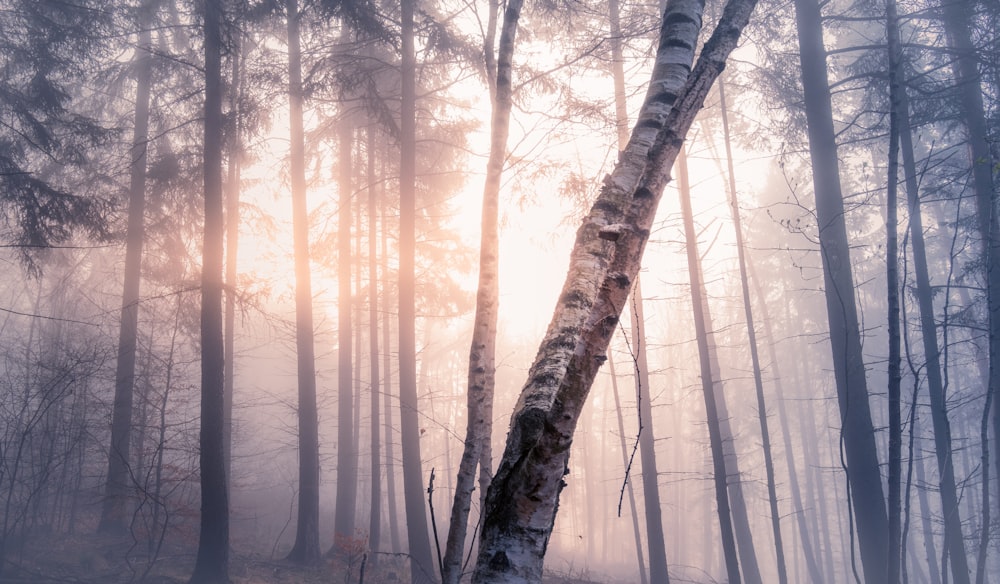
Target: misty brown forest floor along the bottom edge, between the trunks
100	559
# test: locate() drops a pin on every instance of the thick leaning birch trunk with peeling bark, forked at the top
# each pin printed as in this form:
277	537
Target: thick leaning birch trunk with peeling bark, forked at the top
523	498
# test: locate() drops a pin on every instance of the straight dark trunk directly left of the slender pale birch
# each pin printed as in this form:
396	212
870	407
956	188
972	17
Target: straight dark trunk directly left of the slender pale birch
421	564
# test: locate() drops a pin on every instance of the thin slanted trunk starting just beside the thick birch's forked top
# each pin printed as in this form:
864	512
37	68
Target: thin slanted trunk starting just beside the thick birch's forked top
765	434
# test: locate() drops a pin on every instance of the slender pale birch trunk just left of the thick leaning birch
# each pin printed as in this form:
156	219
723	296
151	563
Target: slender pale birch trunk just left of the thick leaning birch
482	354
